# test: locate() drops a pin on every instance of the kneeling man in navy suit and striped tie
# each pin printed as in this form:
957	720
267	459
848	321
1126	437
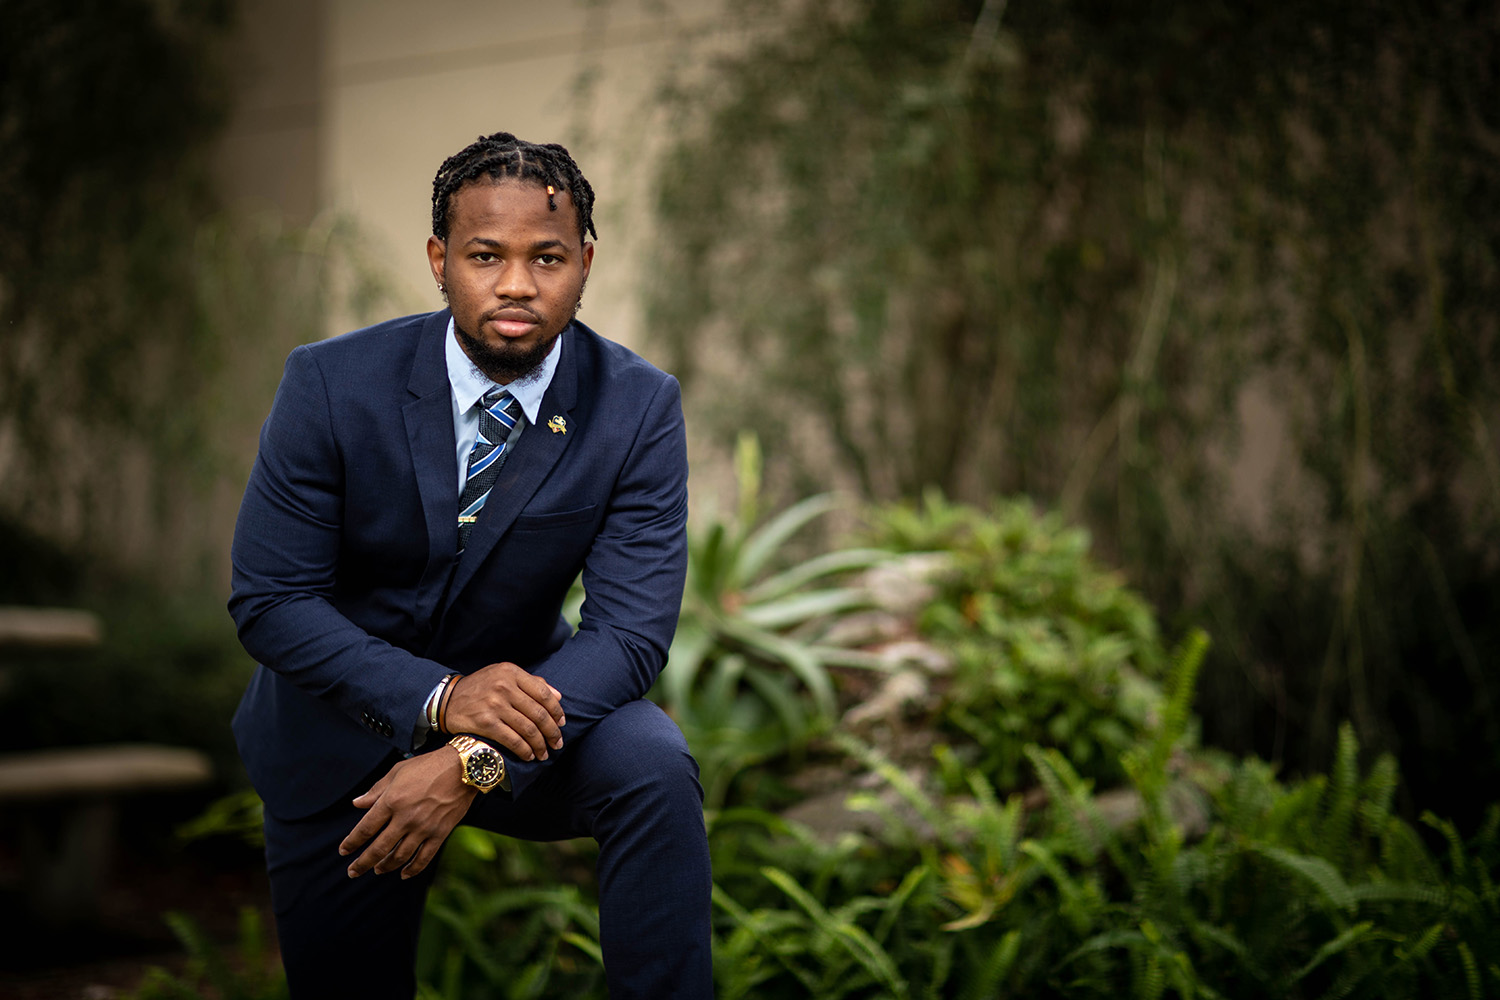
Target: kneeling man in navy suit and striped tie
416	671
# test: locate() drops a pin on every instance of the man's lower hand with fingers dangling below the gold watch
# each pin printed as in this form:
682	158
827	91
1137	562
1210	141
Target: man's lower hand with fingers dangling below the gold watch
412	812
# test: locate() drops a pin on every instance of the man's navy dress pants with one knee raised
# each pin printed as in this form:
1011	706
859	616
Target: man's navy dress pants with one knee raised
629	783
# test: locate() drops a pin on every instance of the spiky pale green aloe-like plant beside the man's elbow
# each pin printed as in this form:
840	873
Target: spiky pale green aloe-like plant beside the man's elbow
748	677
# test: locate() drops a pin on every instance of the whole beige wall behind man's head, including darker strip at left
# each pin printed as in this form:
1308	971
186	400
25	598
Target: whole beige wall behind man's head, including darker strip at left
350	106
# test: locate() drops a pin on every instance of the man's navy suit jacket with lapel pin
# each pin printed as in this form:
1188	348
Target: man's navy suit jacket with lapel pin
347	588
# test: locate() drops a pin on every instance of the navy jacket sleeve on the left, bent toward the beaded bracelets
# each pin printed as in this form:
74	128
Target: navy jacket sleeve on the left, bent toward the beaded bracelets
286	570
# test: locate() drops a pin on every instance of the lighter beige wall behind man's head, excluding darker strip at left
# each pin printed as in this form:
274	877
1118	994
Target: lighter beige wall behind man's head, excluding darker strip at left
407	85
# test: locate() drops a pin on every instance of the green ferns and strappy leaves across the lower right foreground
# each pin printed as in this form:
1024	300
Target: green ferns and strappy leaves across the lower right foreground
1310	890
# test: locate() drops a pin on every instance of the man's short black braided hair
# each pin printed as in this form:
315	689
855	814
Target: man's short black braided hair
503	155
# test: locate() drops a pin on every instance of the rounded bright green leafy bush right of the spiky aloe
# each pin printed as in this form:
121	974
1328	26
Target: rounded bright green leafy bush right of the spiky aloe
1051	648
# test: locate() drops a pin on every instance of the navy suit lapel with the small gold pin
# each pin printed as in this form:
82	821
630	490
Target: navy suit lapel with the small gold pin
538	452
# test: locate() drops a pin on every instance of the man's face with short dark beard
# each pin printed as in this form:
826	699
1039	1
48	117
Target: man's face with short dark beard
515	272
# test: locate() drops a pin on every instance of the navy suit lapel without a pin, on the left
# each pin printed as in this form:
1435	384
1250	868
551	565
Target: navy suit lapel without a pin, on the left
431	437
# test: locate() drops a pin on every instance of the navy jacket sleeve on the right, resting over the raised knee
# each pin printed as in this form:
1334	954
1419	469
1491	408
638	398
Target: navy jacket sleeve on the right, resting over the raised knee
634	579
